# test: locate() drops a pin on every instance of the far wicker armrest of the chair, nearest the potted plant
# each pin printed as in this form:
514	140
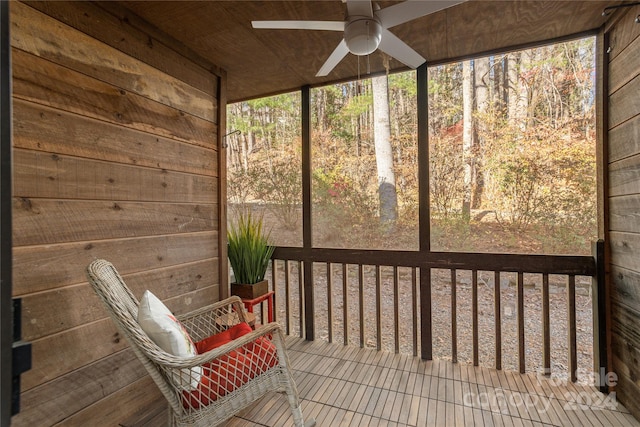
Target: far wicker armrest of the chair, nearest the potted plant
204	322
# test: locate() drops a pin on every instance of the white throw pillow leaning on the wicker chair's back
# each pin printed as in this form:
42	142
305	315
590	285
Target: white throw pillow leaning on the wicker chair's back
169	334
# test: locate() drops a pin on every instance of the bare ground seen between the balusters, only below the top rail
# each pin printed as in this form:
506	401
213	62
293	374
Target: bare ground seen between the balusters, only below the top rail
441	316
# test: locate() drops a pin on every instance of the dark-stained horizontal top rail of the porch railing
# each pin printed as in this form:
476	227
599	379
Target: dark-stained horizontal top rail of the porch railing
579	265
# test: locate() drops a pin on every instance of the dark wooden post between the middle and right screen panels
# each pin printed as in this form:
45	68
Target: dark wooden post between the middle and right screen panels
426	349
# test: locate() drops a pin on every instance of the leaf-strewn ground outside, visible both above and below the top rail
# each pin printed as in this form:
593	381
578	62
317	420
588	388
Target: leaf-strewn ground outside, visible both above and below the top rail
487	237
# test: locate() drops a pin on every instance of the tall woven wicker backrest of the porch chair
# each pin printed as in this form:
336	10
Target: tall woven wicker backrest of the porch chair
122	306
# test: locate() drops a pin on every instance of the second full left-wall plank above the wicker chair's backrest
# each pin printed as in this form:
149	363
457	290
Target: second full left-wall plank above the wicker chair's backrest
57	176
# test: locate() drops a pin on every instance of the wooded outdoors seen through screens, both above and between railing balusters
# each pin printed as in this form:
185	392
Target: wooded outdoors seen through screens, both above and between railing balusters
512	169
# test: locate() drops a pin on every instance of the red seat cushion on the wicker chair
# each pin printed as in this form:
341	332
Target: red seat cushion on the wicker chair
230	371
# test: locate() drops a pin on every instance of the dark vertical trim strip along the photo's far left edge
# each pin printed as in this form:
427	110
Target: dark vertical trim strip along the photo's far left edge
6	309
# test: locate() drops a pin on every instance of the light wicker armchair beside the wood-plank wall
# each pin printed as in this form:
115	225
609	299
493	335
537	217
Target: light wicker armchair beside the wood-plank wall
263	367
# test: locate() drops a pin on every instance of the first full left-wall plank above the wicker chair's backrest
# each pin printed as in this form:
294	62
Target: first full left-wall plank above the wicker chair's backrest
49	221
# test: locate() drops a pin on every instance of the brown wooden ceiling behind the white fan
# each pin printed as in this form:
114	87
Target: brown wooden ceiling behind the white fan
261	62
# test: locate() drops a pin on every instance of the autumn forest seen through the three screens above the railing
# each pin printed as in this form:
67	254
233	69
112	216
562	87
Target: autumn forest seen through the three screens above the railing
511	157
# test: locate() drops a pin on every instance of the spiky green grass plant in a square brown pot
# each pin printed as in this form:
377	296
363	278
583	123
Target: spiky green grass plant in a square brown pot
249	253
